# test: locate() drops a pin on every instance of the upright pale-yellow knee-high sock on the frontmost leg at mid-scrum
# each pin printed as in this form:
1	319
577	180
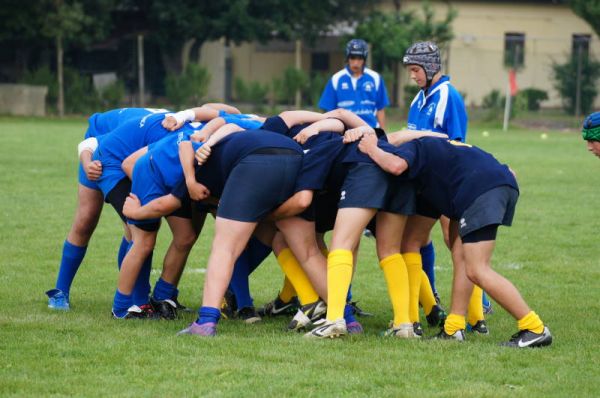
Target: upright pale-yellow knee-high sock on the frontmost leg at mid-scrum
339	276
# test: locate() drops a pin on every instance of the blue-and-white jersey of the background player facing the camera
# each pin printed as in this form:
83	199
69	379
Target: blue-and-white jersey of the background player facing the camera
363	96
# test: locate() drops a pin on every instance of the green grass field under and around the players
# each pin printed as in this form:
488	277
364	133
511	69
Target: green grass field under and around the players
551	253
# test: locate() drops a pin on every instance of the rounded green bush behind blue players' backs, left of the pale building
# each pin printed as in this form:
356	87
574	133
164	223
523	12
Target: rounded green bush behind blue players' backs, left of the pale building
189	87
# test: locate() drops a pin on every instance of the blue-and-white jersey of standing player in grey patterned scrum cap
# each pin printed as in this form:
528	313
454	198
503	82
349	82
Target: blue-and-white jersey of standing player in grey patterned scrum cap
442	111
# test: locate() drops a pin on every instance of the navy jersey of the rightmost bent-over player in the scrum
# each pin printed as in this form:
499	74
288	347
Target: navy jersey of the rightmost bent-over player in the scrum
450	175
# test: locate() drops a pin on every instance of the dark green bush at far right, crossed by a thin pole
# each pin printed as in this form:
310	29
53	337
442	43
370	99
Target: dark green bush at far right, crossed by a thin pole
565	82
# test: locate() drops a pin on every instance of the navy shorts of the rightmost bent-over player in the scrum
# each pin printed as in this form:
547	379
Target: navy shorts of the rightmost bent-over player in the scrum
494	207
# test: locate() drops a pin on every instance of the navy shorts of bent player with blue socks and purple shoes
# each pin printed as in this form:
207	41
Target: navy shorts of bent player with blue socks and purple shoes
257	185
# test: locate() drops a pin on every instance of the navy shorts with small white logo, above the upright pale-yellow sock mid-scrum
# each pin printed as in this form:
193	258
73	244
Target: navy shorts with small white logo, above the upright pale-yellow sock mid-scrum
365	187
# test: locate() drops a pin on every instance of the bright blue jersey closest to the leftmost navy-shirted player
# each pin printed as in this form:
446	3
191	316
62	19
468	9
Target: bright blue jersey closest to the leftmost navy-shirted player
164	156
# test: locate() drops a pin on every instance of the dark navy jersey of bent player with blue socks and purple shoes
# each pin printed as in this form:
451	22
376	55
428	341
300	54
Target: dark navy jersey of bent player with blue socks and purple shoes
230	150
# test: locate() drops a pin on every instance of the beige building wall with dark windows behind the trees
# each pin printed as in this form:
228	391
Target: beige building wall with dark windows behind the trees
475	56
